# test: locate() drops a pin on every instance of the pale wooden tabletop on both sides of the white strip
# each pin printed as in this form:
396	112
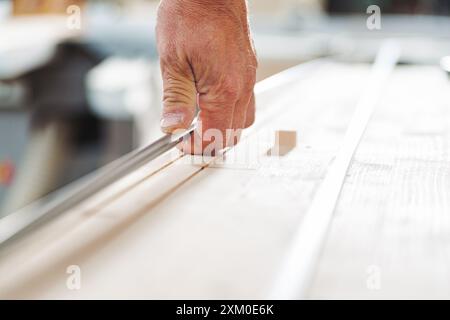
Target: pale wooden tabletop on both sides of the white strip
220	228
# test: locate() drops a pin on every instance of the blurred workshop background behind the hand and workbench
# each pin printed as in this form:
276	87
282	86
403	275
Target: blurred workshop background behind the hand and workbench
80	83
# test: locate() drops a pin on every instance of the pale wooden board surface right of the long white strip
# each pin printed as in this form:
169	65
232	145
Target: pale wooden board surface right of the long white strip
393	218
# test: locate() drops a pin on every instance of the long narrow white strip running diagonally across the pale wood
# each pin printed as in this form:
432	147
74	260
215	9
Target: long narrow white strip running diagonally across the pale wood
298	268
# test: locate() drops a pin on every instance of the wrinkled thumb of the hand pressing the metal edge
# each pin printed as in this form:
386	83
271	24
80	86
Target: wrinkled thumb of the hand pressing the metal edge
179	99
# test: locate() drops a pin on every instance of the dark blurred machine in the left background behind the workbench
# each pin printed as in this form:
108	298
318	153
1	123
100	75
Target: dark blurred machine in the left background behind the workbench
51	134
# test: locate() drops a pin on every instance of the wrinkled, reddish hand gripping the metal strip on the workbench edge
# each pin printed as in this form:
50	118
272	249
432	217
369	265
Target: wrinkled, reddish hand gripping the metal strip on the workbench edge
207	58
